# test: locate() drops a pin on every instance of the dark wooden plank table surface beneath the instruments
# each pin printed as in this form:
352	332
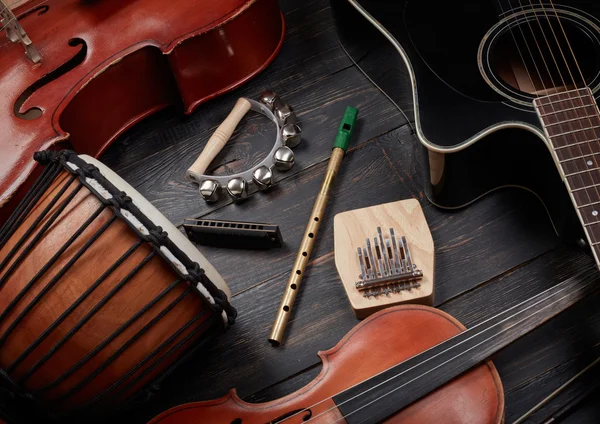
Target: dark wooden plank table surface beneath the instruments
489	256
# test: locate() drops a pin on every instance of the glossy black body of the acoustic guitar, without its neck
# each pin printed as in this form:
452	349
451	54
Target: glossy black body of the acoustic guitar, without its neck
473	113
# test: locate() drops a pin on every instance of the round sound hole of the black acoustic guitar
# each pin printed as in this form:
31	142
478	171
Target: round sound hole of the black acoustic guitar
527	55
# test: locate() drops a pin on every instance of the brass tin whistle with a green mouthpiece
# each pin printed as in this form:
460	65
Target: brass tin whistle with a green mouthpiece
293	285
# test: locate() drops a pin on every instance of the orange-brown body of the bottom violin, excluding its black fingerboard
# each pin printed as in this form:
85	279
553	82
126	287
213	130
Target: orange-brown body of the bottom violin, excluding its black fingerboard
376	344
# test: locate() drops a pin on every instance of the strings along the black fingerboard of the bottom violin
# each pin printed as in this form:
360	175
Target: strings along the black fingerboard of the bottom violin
449	360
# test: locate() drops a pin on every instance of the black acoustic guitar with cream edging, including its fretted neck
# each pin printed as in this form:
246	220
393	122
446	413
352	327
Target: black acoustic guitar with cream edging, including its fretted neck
504	94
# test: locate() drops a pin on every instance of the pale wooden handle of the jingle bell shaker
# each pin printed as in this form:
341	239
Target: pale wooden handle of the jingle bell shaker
218	140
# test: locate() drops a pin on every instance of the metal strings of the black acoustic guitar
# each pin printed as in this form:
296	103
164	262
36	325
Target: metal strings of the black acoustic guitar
569	99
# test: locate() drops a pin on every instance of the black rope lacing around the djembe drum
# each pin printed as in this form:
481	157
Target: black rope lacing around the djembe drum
191	274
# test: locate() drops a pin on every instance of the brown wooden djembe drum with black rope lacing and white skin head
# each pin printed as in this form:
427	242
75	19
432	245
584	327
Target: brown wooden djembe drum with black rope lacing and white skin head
100	295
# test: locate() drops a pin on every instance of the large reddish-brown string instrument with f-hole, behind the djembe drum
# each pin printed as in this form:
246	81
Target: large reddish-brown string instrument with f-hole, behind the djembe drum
92	69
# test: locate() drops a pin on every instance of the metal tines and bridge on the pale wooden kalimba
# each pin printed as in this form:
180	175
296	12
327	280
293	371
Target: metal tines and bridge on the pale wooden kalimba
388	268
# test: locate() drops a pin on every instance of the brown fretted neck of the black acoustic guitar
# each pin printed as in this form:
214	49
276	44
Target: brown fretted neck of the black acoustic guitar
571	121
